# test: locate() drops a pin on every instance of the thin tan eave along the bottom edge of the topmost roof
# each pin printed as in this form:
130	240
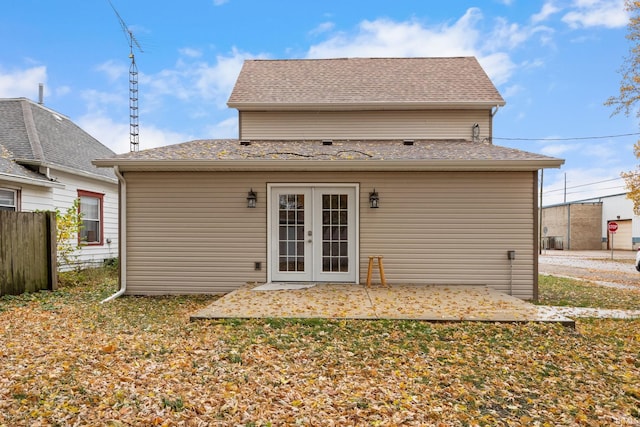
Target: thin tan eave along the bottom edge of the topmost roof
348	106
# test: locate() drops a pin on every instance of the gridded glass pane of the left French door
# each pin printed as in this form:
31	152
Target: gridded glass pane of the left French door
291	232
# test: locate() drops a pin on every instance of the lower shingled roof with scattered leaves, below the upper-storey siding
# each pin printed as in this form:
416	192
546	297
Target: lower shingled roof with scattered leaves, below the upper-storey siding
425	154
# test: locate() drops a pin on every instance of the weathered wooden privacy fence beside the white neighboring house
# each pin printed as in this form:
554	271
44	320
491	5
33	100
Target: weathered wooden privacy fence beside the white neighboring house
27	252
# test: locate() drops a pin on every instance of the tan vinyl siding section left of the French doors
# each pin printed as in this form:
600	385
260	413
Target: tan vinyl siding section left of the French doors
192	233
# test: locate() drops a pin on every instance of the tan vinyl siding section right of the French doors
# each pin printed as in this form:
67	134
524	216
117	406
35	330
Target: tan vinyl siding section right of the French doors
453	229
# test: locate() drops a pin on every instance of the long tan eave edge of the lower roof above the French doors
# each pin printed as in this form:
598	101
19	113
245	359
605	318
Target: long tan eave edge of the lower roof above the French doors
125	165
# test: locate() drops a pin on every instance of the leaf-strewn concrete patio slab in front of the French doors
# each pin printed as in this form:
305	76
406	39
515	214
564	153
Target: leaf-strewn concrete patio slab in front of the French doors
349	301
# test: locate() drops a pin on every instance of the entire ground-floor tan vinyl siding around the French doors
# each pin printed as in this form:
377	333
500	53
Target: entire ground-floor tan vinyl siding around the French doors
192	232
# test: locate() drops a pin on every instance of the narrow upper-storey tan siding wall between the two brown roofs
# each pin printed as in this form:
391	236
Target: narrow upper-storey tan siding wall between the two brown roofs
425	124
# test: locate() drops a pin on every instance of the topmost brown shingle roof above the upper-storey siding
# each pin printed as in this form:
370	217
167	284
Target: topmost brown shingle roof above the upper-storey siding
363	81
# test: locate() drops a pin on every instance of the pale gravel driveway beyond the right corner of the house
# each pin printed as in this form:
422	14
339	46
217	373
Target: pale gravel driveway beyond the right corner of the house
595	266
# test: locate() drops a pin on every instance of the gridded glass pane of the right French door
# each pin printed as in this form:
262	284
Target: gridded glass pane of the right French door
334	233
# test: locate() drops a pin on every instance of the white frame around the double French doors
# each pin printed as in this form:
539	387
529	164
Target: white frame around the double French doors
309	185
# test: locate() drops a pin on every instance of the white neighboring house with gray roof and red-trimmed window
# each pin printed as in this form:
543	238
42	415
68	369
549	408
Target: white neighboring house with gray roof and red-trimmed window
45	164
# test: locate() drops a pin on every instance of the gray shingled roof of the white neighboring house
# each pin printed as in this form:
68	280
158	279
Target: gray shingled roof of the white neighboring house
31	134
